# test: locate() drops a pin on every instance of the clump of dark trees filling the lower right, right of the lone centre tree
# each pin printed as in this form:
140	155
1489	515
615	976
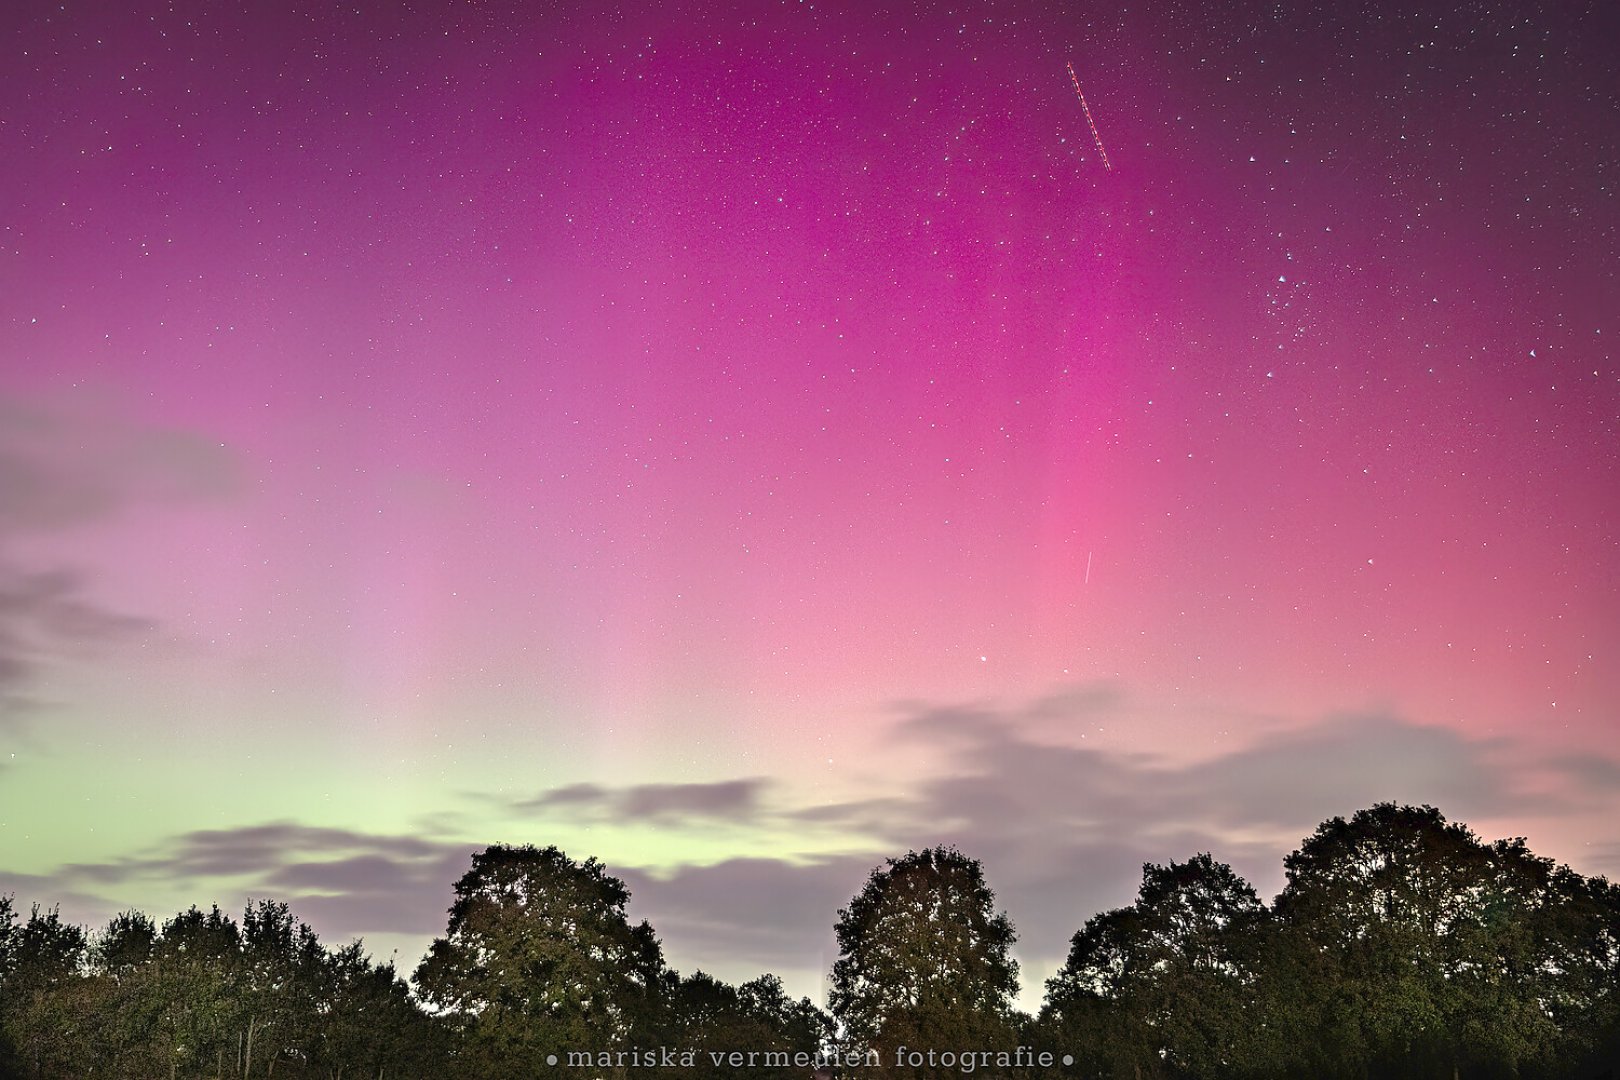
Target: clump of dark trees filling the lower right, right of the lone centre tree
1400	948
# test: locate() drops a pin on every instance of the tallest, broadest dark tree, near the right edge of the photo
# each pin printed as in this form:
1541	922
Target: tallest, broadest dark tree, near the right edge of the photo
1413	950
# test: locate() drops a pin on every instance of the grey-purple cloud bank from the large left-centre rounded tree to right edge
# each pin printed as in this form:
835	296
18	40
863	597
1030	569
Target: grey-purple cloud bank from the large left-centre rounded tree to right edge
1064	830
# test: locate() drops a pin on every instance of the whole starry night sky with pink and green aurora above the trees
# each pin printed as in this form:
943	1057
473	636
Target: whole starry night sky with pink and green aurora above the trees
748	441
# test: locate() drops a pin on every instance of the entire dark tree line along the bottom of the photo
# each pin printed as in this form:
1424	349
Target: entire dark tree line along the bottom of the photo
1402	946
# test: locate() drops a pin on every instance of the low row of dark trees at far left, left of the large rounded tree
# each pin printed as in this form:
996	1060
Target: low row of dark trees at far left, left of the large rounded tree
207	997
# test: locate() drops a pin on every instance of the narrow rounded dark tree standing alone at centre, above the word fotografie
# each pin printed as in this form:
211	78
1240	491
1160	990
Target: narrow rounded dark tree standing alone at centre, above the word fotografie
924	961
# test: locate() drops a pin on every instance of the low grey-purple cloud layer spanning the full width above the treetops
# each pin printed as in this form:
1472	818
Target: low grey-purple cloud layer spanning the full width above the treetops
1064	831
